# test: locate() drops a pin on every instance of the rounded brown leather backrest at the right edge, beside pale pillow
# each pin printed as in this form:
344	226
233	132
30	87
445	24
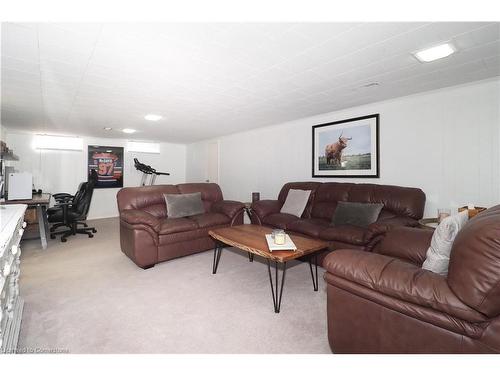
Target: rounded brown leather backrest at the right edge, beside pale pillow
474	271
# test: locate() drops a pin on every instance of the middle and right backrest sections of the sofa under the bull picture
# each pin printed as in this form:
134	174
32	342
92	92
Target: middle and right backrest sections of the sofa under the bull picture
397	200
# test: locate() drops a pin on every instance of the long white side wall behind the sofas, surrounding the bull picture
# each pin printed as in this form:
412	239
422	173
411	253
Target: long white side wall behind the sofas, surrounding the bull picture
445	142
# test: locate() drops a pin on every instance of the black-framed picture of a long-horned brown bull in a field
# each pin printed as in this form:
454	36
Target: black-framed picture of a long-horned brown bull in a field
347	148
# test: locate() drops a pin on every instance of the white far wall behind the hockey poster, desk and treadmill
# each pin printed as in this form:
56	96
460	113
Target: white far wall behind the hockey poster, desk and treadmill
62	171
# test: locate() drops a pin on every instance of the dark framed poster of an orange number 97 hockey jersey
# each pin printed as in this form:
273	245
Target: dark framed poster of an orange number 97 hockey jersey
108	162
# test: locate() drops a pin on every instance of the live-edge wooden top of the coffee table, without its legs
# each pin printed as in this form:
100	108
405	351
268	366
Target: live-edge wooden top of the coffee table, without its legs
252	238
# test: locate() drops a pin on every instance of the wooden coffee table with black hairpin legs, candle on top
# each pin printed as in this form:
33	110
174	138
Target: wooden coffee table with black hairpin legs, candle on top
251	238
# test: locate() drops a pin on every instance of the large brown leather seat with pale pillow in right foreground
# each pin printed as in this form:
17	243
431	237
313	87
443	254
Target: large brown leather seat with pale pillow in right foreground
383	302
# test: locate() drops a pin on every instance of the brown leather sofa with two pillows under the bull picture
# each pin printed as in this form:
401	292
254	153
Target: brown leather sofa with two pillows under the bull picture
403	206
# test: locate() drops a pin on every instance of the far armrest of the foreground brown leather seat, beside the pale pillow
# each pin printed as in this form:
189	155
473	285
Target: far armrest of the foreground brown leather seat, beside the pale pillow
406	243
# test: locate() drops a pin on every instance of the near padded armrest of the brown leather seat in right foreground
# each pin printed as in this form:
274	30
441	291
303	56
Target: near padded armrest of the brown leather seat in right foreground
397	279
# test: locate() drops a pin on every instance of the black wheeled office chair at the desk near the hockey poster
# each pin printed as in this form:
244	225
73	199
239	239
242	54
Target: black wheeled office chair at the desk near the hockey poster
70	211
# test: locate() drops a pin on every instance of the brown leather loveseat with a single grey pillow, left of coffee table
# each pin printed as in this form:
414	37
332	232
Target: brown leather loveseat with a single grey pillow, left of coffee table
148	236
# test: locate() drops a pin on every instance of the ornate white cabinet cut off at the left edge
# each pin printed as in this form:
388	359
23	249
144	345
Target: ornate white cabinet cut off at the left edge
11	304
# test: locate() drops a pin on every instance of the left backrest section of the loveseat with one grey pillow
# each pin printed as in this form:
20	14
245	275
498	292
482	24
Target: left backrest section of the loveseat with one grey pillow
146	198
